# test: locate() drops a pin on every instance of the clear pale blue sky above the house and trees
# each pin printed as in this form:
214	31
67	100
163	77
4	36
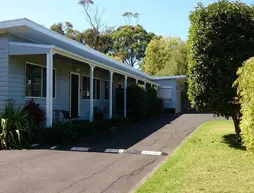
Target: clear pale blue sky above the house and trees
162	17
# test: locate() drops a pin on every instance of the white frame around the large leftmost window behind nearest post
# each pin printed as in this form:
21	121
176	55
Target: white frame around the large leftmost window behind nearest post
42	66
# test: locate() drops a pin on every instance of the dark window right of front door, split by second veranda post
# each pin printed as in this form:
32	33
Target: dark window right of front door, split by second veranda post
96	88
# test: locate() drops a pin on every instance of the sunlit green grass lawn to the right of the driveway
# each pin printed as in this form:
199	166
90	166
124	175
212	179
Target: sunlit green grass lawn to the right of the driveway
209	161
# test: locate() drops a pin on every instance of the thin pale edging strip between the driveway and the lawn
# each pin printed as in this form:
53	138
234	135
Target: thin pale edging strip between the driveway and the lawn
140	183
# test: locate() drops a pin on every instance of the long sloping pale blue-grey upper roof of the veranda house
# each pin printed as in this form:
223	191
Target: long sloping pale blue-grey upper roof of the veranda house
39	34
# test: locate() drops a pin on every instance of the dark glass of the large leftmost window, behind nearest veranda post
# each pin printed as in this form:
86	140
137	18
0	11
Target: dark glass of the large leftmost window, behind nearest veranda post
36	81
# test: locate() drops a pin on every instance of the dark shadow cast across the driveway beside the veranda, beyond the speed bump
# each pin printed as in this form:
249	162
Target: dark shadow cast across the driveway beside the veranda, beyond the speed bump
127	136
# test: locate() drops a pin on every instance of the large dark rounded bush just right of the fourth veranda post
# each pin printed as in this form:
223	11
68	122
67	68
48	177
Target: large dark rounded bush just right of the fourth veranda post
137	101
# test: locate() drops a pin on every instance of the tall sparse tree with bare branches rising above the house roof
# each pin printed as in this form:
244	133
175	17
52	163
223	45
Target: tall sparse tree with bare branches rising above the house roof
94	18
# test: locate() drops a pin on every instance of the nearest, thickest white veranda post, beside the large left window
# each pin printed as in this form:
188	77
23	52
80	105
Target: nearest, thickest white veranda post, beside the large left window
49	88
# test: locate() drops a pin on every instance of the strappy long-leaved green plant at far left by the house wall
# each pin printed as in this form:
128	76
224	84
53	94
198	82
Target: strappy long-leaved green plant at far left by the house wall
14	127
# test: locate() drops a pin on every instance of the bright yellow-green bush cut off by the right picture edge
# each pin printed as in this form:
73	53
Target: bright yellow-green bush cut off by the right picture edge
245	84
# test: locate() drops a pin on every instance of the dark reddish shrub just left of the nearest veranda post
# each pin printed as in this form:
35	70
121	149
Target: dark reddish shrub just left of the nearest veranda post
35	115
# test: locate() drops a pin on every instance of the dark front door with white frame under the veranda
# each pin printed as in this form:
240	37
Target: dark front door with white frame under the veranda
74	95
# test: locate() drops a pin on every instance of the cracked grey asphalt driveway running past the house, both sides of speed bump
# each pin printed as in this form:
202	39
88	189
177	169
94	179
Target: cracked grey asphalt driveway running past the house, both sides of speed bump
48	171
